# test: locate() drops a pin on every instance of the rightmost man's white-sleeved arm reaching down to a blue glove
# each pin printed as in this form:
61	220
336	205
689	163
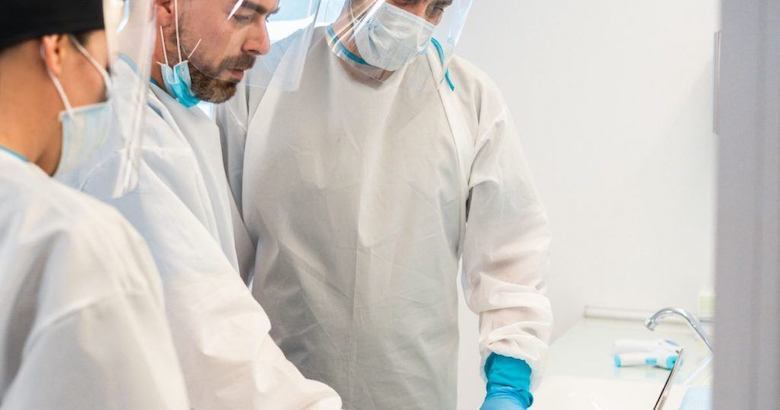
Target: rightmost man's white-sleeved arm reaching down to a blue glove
505	252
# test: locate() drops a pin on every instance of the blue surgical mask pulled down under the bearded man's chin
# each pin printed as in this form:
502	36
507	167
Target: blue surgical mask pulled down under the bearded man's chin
177	79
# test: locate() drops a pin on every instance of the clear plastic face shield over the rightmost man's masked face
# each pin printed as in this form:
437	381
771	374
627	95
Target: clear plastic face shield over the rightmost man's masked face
381	37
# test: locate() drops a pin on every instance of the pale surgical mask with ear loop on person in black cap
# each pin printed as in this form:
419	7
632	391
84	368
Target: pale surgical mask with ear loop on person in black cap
84	129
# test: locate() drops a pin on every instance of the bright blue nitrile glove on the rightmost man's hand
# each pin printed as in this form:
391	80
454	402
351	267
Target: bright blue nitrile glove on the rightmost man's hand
508	384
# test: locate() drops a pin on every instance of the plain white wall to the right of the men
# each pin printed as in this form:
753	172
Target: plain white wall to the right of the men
614	102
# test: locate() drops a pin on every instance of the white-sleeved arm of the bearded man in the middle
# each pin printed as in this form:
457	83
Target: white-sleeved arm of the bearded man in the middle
221	333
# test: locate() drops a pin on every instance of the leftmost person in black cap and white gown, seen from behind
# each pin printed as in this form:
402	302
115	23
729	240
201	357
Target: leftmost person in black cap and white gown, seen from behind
82	319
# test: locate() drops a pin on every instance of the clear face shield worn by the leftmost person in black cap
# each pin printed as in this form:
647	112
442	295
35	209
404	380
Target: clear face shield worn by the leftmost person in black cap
129	31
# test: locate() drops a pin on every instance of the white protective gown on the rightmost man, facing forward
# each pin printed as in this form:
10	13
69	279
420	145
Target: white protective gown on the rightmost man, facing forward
357	196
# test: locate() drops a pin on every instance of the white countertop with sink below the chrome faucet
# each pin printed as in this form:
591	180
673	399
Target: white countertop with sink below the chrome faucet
580	368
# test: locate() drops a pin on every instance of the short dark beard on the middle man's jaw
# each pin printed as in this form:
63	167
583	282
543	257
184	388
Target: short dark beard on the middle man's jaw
208	87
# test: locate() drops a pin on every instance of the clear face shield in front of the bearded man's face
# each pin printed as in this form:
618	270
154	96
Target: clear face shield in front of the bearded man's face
212	45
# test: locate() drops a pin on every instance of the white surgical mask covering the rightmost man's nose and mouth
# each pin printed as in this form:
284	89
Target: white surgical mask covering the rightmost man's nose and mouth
391	37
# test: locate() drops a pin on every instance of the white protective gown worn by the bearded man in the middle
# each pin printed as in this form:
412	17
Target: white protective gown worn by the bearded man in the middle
183	208
